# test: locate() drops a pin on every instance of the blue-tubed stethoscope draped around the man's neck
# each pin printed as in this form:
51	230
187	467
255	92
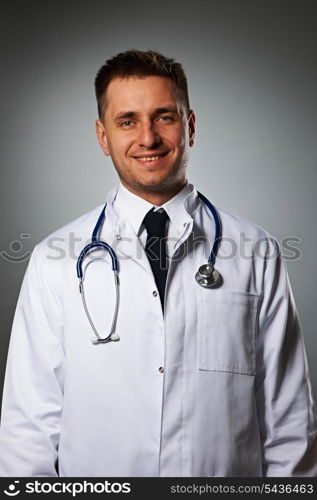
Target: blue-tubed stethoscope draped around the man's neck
207	276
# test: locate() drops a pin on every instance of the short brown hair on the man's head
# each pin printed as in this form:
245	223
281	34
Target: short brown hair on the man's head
139	63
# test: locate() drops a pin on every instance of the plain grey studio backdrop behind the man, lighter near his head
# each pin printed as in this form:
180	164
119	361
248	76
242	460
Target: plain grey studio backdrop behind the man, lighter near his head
251	66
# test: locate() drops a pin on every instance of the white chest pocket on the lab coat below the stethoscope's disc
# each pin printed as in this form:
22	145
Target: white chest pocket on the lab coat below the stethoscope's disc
227	323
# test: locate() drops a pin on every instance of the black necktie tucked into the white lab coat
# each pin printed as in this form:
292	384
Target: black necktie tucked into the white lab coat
155	248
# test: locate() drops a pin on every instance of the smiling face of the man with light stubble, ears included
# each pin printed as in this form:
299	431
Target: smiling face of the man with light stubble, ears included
147	132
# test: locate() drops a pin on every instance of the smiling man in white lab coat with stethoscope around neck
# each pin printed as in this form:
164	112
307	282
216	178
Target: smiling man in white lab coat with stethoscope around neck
202	381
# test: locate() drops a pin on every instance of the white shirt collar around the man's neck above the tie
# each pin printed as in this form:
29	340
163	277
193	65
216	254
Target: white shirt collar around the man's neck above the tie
135	208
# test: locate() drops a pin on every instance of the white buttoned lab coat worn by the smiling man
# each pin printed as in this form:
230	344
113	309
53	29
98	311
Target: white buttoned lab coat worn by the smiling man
234	398
